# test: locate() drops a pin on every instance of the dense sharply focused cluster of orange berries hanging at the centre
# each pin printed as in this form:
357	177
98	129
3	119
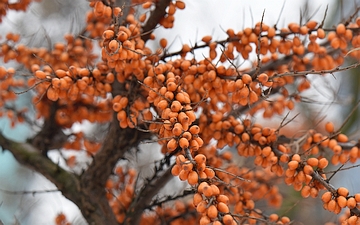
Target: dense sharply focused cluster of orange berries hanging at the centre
174	109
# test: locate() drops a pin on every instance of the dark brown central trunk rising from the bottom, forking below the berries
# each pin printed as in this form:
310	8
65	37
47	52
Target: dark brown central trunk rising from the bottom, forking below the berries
116	143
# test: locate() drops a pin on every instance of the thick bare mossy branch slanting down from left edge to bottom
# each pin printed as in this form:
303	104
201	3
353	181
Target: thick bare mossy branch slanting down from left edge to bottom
94	210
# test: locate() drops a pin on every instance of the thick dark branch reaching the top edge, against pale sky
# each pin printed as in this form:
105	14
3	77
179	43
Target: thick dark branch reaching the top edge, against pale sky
155	17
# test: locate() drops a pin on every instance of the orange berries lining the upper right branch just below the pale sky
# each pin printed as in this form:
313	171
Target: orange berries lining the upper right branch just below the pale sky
269	40
